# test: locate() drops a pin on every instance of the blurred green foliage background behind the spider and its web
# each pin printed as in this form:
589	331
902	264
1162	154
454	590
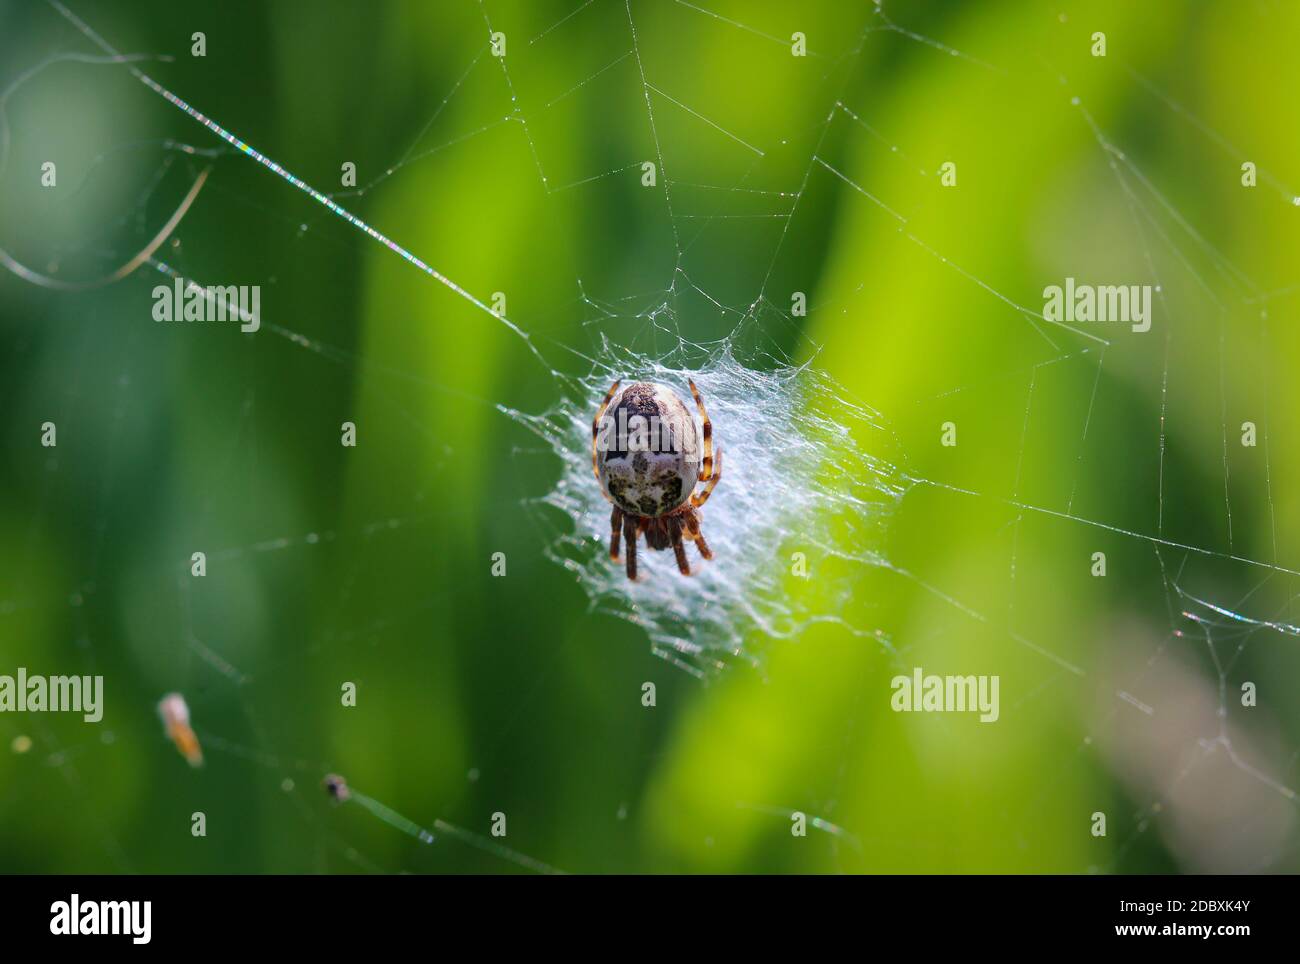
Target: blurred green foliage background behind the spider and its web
480	694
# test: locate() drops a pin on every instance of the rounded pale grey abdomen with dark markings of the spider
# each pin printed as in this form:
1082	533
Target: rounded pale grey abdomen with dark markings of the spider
648	450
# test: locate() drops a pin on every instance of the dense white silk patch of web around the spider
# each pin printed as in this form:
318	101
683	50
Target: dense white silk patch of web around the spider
803	485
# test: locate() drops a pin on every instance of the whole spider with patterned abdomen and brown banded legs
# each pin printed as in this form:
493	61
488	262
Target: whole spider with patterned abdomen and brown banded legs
645	455
